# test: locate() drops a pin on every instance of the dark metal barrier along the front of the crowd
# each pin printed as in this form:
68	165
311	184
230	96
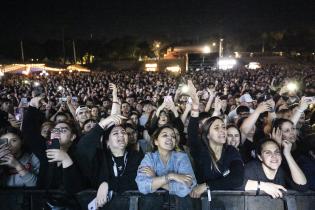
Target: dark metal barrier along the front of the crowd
29	199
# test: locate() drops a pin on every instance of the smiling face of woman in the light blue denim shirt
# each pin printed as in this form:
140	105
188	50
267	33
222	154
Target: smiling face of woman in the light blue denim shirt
166	140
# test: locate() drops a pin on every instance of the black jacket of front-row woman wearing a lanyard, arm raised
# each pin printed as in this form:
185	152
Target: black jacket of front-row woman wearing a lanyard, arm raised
96	163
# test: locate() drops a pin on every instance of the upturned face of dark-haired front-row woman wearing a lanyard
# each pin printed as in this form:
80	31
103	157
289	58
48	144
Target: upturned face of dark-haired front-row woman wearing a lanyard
118	138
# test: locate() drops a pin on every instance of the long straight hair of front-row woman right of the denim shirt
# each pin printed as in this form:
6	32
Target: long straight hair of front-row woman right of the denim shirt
204	137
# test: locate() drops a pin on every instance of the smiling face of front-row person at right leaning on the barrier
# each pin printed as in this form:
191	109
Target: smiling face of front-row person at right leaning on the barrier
270	155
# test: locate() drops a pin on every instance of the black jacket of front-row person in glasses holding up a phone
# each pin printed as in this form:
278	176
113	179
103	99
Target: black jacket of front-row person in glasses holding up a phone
50	176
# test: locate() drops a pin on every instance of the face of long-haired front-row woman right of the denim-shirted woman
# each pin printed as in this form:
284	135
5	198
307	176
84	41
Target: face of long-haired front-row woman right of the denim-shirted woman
217	132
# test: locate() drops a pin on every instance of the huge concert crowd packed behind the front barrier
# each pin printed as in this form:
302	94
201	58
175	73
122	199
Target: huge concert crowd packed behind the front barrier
187	134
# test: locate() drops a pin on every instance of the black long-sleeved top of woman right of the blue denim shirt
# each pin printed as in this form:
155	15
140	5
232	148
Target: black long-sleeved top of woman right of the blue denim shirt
231	174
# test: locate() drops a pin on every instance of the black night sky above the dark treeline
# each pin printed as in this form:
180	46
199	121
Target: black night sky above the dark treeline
173	19
